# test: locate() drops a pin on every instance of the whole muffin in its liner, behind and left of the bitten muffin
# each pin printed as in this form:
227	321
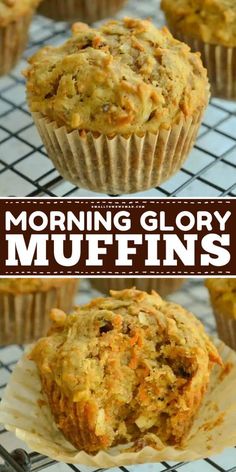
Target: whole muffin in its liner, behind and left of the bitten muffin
25	305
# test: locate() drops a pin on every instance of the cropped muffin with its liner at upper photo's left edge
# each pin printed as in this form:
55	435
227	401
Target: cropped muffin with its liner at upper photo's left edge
15	18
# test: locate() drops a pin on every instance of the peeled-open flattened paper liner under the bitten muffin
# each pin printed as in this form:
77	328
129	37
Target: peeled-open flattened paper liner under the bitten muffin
25	412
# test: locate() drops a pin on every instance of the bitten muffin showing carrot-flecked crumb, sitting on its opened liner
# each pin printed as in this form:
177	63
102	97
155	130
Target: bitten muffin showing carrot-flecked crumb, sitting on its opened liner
130	368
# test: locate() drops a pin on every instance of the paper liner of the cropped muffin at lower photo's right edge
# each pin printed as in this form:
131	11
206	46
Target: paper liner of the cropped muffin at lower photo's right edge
226	328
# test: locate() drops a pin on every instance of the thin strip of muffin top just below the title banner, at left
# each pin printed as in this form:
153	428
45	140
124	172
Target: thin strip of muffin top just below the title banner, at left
22	285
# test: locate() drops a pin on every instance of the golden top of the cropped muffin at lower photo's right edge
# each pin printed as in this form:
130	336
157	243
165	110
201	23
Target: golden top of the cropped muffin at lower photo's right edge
223	296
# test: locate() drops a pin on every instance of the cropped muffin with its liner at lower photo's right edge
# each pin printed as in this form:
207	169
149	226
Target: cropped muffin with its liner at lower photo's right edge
223	298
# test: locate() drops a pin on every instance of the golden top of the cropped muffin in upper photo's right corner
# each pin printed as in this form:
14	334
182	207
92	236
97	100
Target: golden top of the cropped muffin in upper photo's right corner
212	21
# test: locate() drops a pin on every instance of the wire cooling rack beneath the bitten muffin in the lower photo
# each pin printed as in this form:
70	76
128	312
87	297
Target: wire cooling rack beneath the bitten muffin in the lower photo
193	296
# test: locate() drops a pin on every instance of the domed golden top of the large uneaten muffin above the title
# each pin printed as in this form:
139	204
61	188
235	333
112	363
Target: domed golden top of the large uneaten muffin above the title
125	77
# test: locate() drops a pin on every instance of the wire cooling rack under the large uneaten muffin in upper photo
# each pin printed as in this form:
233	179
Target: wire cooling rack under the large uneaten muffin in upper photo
26	171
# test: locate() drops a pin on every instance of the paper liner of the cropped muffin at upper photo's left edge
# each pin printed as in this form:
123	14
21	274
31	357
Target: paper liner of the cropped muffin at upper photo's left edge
13	41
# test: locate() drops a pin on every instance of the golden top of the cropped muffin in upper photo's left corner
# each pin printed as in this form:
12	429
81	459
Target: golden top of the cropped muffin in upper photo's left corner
10	10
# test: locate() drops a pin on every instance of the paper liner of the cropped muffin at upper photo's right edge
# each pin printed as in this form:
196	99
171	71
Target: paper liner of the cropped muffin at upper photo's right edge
220	62
